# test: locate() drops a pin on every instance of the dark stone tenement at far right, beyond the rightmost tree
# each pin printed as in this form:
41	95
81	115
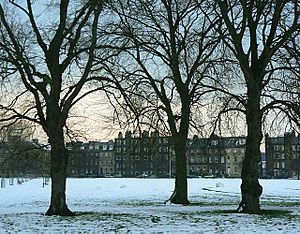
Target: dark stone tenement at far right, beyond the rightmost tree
283	156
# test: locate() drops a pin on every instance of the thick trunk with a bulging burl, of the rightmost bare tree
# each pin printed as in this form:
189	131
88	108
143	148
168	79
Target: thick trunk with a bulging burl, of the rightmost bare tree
250	187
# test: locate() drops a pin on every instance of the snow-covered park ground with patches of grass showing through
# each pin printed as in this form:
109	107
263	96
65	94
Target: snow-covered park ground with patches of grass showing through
118	205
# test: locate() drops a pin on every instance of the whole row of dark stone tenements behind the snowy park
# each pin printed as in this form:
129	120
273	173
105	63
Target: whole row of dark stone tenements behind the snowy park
153	155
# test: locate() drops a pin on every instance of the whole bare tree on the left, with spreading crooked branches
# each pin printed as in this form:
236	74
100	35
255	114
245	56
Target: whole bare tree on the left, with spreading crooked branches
48	57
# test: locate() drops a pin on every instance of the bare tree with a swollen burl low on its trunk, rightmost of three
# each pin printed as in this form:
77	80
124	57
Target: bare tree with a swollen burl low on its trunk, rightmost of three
258	31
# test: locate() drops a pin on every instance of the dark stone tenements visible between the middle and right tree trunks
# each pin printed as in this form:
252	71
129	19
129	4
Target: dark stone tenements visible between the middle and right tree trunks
216	156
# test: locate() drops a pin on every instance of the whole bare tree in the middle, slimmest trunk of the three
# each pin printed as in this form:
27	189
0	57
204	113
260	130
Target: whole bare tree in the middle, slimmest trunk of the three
172	45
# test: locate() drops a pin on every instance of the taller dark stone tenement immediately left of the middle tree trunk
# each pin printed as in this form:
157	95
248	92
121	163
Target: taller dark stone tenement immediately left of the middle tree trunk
145	155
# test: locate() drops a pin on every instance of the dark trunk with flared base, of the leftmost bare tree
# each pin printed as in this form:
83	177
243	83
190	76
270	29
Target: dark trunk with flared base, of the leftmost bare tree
59	159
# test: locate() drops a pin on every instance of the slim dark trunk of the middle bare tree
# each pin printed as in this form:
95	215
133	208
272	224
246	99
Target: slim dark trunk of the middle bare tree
180	195
